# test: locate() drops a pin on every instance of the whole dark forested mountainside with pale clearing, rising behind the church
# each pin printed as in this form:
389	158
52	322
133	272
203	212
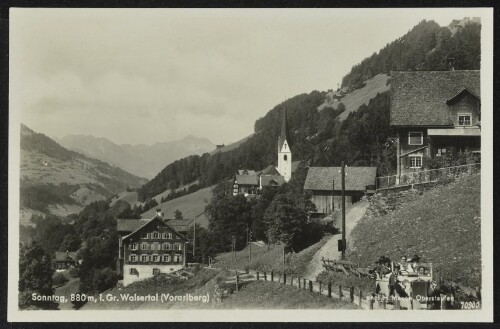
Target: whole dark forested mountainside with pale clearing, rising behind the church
325	130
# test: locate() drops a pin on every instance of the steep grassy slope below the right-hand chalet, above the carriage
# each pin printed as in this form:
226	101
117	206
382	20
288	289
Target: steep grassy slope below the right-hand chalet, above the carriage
442	226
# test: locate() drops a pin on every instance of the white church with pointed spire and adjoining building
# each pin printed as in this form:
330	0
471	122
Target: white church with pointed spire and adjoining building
249	182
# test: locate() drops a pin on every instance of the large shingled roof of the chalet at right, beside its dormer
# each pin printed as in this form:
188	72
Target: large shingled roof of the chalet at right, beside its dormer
419	98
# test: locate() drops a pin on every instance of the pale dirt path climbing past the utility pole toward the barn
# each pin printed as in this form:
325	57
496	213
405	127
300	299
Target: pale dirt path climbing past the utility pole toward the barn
330	249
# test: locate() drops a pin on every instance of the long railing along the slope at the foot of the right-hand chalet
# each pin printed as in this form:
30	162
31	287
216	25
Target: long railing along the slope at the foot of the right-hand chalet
427	176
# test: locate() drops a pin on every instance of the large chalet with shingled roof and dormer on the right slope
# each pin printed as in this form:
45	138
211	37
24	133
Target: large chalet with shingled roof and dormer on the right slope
435	113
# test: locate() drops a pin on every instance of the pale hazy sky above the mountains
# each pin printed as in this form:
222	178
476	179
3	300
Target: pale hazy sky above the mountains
142	76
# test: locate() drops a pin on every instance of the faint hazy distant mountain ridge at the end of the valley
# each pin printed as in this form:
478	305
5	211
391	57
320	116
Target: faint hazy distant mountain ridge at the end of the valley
142	160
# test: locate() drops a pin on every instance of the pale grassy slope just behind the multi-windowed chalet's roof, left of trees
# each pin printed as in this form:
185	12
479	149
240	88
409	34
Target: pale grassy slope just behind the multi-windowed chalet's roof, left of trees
190	205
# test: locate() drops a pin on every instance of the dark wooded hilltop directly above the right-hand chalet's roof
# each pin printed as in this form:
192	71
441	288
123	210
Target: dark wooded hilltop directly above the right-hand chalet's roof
425	47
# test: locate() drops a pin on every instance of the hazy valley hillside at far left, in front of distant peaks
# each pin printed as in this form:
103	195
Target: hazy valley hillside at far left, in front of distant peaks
58	181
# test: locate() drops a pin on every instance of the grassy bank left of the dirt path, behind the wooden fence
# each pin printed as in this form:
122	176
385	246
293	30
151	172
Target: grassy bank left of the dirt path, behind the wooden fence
264	260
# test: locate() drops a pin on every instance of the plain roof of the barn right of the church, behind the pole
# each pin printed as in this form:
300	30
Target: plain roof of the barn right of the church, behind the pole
356	179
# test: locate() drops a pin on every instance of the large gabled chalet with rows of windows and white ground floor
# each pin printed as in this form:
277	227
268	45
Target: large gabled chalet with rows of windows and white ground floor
149	247
